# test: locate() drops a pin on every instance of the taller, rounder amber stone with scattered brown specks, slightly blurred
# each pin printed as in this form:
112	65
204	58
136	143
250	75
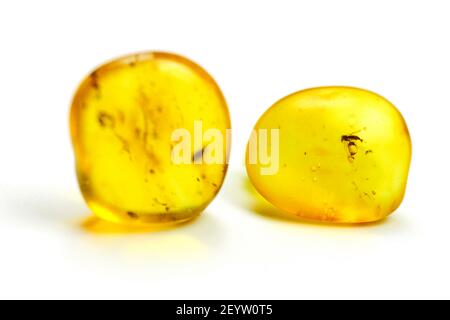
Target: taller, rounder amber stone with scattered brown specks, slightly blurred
123	120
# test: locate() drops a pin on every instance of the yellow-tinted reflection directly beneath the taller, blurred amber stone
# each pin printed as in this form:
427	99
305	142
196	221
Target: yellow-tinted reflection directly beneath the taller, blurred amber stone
186	241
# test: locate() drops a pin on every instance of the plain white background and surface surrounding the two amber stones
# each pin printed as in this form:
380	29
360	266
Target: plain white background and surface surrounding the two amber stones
258	52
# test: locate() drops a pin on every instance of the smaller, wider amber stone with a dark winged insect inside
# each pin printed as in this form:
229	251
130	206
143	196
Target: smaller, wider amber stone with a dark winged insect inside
335	154
